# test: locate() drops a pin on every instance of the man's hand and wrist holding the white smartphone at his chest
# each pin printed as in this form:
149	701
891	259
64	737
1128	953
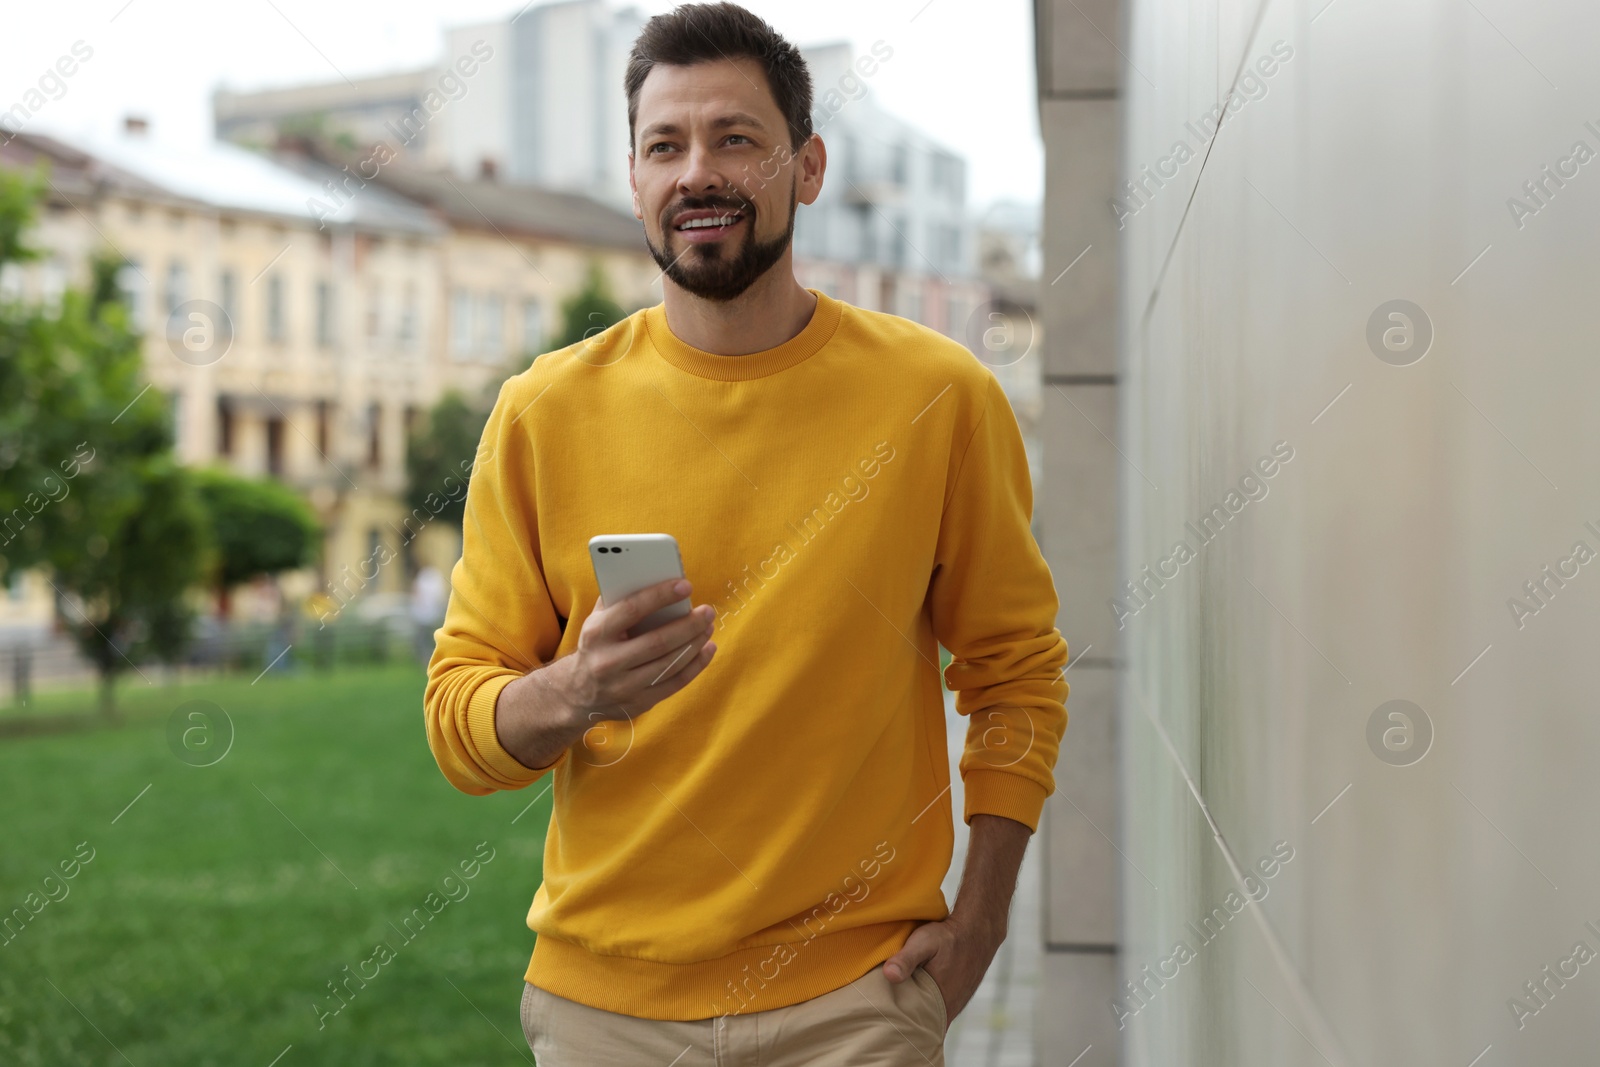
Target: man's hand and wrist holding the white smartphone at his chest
612	676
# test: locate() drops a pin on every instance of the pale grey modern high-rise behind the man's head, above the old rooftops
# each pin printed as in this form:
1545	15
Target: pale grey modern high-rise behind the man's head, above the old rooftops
538	98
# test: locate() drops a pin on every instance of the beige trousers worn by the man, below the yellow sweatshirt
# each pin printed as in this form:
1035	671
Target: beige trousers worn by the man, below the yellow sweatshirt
870	1023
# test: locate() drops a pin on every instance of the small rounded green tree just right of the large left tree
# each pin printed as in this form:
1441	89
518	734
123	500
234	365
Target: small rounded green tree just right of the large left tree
257	529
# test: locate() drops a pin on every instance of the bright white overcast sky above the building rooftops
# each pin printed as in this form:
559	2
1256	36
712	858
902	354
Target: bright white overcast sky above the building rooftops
964	78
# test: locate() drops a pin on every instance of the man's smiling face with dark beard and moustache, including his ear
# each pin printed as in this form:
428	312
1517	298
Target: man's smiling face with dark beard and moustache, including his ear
716	178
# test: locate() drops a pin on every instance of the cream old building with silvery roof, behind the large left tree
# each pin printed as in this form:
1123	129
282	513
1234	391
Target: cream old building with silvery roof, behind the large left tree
302	388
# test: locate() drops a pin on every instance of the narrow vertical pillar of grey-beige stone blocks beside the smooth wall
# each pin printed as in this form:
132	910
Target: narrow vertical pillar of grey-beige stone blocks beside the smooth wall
1081	118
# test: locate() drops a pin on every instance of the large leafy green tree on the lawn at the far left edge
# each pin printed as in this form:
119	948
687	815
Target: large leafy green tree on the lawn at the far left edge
89	487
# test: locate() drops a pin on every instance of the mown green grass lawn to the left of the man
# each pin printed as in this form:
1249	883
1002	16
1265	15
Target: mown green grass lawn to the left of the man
220	905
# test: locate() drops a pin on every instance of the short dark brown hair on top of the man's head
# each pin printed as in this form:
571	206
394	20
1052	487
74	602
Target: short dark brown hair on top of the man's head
703	33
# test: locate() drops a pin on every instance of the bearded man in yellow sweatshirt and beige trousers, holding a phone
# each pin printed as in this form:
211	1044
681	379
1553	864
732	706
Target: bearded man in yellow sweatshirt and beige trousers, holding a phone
750	834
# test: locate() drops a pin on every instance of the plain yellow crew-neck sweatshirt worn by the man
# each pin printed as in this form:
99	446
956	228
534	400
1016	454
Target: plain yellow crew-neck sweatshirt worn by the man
849	502
